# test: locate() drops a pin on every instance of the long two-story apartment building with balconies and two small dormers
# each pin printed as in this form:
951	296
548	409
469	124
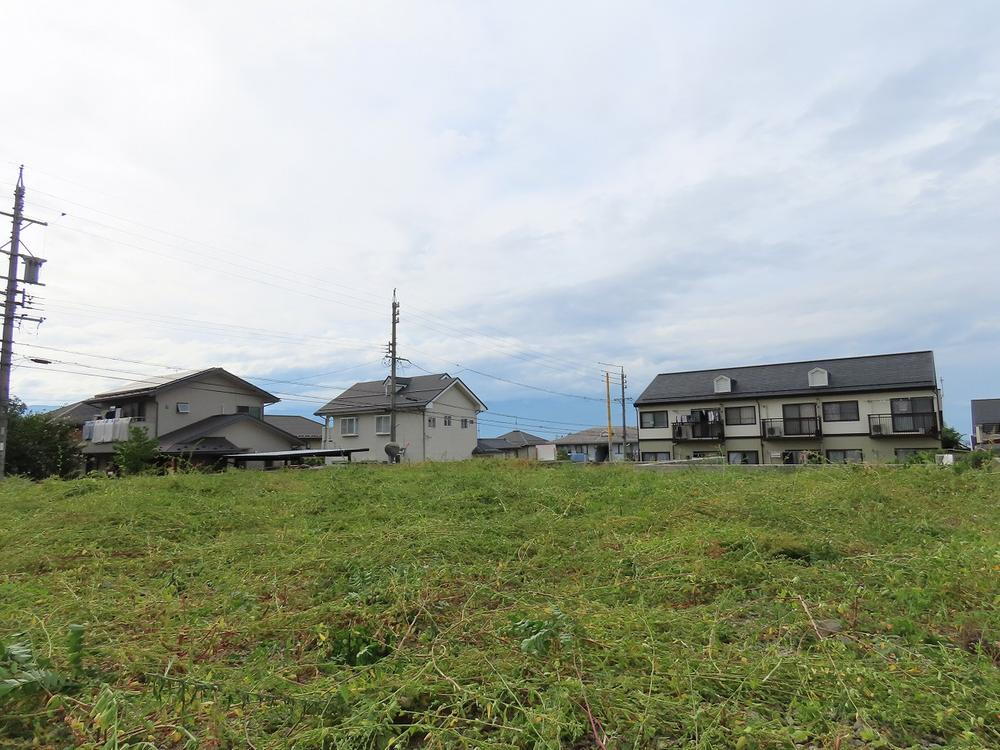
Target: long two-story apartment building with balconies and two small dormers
874	408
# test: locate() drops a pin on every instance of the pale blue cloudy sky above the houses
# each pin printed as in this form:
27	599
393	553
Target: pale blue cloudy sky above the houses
548	186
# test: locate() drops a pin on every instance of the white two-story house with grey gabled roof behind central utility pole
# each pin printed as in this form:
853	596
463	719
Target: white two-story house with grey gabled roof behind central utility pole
436	418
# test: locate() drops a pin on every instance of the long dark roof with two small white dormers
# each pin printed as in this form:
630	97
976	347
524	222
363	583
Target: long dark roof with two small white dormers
872	373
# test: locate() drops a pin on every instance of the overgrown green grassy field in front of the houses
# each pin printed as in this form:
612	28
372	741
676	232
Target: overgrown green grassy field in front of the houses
497	604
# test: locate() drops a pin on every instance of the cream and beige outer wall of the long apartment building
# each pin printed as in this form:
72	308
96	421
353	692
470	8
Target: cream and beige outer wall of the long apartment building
848	435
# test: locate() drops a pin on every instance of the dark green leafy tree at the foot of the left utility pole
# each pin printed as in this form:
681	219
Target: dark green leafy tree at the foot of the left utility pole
40	447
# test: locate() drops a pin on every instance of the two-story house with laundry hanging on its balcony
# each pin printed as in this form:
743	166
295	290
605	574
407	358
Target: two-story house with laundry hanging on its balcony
200	415
